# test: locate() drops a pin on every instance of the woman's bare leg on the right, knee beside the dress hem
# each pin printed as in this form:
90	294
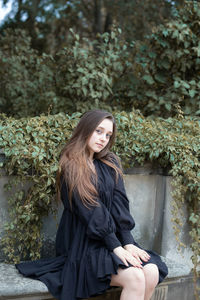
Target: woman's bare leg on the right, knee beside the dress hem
151	275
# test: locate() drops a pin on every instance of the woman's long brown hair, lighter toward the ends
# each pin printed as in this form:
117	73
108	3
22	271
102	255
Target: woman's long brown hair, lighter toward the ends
73	164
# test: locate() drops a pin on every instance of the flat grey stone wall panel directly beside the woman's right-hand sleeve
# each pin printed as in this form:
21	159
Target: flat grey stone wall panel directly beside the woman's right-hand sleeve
146	194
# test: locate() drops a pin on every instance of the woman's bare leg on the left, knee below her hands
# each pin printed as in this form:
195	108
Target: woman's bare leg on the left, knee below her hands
132	281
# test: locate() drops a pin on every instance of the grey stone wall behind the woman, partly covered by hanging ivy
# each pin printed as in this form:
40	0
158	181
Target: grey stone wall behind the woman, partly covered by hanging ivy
149	192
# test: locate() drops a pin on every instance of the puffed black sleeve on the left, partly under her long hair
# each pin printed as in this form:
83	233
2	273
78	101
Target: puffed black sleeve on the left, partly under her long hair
97	219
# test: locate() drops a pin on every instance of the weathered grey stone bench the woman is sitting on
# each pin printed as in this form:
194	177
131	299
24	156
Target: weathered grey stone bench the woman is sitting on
178	285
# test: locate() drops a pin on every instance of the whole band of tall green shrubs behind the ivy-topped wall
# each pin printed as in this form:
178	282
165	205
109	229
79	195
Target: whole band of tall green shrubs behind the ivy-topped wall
155	74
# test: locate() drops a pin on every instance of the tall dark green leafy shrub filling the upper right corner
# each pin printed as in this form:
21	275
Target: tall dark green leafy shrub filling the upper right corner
168	66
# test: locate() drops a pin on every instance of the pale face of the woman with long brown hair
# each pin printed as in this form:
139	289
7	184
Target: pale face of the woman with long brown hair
100	137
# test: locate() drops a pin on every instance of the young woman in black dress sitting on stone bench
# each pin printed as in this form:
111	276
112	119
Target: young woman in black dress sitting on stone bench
94	246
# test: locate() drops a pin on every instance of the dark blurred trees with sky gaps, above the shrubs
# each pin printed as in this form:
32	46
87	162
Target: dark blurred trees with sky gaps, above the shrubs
48	21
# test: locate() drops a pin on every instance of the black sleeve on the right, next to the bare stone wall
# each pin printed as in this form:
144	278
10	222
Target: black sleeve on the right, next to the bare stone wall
121	213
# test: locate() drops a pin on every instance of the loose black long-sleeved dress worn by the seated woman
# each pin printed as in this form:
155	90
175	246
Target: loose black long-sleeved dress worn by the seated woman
85	239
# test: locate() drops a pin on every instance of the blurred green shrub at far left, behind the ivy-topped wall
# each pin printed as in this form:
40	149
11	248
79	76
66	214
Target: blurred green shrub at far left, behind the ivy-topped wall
26	79
